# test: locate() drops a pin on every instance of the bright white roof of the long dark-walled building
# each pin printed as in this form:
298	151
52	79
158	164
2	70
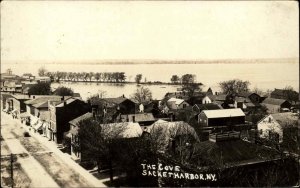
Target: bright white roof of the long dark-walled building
221	113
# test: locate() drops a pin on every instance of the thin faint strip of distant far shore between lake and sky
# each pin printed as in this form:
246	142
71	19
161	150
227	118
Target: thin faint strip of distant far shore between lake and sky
164	61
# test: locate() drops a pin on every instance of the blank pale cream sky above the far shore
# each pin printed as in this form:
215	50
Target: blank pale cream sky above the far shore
88	31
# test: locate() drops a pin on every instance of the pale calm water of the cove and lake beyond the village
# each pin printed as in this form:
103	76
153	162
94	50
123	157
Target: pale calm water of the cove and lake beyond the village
262	75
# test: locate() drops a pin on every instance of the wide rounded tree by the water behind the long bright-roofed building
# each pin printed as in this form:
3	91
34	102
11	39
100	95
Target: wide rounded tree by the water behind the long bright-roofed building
234	86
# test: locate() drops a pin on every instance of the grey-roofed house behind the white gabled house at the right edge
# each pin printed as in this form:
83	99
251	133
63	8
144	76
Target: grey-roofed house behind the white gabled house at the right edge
276	105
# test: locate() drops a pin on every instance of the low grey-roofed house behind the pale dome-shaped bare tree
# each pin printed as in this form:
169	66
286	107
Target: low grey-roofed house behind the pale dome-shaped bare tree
143	119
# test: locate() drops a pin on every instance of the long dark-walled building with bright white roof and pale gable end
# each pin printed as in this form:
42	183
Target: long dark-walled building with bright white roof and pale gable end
221	117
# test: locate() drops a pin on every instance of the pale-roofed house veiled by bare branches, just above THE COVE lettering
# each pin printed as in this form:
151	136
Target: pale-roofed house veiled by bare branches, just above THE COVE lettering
170	135
